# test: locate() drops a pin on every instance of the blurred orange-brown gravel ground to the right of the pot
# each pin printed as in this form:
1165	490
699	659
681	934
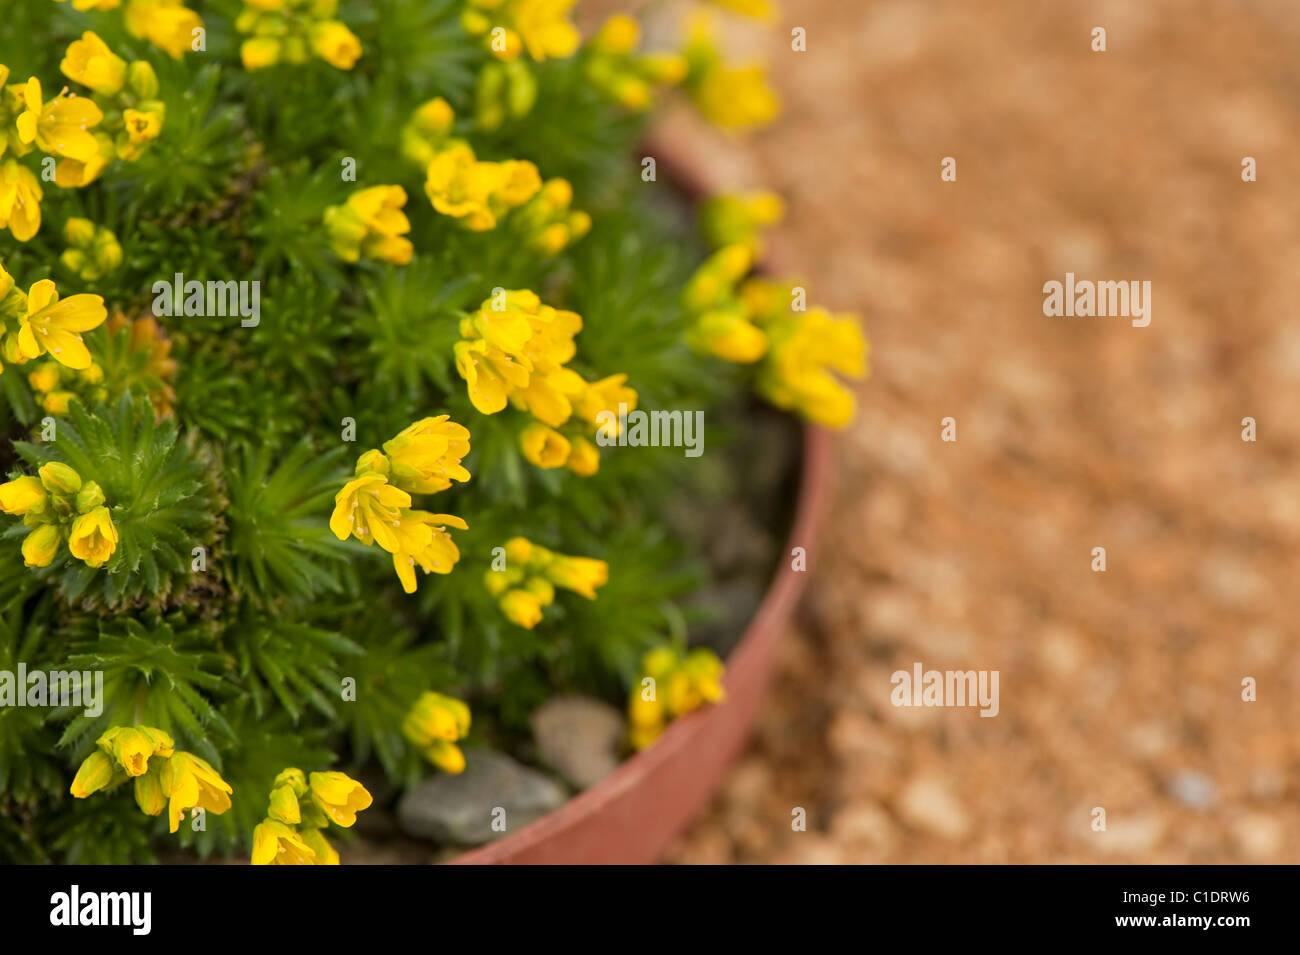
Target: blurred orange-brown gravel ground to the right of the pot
1120	691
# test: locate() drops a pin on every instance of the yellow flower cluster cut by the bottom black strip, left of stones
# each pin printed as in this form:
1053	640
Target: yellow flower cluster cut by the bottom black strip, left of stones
300	809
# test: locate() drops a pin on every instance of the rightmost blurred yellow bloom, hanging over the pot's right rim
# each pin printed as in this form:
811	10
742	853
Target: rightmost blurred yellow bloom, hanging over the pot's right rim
798	374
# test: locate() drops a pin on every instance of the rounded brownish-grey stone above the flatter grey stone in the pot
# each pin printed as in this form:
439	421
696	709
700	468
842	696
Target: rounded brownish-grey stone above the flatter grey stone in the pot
579	737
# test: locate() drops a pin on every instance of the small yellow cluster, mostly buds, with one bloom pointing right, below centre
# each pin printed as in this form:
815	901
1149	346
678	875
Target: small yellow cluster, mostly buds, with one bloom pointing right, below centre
531	574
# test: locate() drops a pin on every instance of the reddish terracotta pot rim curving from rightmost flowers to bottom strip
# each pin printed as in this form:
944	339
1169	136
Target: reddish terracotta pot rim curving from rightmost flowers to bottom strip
747	658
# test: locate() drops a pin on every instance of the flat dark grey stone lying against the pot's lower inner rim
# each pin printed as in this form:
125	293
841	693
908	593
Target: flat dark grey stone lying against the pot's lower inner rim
461	809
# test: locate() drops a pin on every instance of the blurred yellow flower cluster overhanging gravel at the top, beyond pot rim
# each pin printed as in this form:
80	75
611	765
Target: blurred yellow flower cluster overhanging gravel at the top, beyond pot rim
730	97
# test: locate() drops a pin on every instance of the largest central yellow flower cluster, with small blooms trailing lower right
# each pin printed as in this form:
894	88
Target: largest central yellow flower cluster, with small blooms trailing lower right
514	349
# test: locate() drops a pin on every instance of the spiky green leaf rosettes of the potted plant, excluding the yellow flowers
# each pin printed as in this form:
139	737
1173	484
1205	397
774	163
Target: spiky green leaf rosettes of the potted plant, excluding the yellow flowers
229	615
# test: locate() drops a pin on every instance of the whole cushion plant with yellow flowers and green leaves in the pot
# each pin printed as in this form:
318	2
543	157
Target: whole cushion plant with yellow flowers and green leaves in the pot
320	331
